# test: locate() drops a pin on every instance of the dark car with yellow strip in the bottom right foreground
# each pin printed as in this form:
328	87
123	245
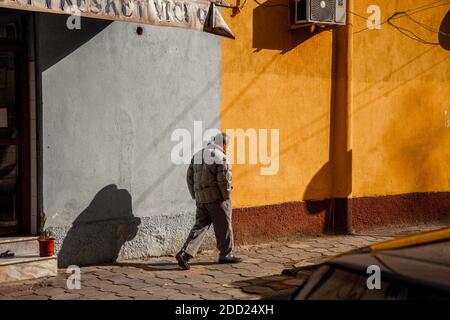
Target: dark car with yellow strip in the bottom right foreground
413	267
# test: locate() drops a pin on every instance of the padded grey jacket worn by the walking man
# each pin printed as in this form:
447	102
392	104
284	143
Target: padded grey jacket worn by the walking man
209	175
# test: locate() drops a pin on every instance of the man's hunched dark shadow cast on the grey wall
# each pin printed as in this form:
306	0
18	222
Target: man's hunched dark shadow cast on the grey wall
99	232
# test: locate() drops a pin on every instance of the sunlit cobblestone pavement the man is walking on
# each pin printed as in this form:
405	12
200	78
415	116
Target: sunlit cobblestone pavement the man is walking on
259	276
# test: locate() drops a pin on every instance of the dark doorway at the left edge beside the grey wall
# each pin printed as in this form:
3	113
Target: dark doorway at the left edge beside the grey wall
14	126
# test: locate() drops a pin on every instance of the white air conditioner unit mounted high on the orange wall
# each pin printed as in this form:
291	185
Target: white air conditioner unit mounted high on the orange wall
326	12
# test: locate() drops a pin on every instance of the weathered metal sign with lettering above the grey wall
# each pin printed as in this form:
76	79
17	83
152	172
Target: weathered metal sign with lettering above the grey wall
189	14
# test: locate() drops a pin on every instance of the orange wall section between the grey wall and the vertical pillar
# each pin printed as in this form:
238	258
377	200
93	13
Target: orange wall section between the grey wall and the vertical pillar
271	80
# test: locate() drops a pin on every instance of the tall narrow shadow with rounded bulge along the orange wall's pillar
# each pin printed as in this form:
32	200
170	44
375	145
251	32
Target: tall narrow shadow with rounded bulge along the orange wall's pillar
338	170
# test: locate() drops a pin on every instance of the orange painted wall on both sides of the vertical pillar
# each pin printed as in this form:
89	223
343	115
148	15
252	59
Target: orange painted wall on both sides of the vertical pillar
276	78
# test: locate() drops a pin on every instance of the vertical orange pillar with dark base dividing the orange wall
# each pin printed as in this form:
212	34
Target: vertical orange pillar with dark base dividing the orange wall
340	126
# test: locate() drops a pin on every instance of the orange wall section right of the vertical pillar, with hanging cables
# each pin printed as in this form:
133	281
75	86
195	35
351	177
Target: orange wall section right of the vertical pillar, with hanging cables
400	135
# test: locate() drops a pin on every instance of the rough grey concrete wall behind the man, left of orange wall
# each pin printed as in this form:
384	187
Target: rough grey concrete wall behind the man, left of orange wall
110	102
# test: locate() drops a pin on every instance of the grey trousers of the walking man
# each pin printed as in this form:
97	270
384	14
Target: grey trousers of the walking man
219	214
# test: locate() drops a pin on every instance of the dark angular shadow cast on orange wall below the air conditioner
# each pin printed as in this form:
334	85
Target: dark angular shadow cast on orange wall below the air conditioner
270	23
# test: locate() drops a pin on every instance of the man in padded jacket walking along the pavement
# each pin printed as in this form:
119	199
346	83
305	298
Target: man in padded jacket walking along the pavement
209	183
